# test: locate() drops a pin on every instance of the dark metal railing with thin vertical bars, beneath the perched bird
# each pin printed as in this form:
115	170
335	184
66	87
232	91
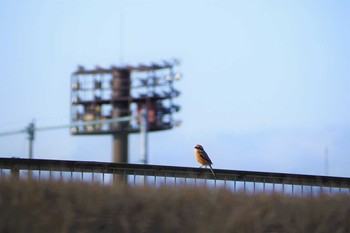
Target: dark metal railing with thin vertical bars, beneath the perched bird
158	176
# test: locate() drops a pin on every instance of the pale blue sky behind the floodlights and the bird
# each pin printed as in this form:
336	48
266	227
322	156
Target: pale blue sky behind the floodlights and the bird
265	88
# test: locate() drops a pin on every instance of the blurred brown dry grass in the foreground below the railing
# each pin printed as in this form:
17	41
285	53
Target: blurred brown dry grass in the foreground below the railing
27	207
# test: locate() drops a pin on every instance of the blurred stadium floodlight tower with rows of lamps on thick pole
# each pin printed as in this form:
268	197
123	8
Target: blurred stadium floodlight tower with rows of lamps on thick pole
140	92
